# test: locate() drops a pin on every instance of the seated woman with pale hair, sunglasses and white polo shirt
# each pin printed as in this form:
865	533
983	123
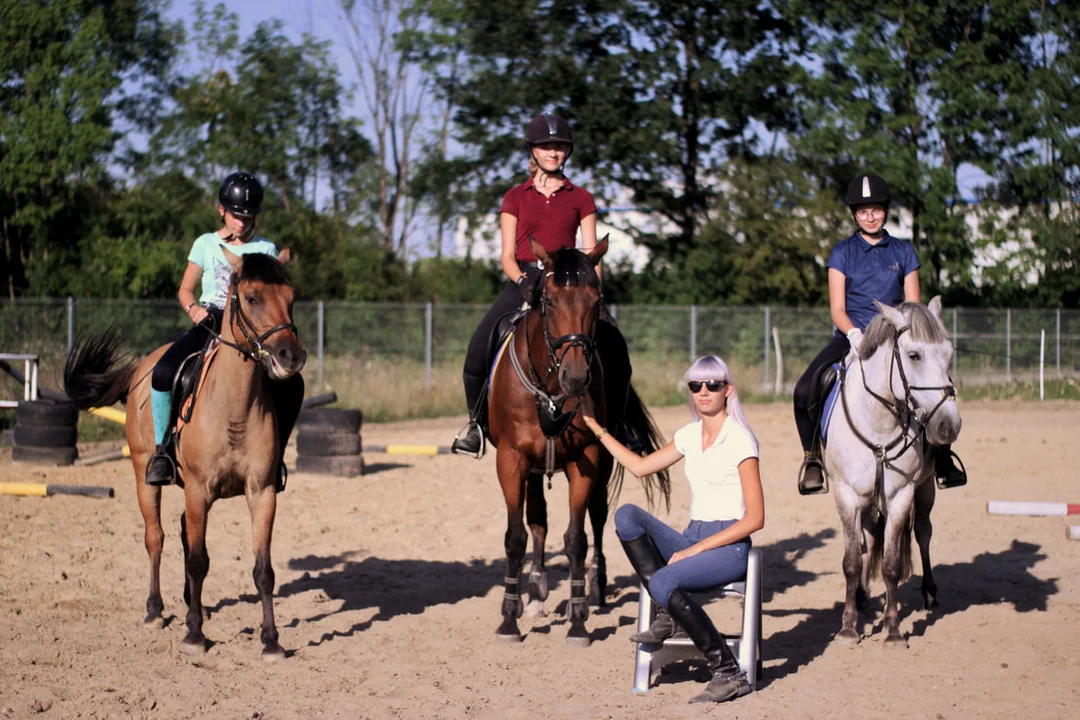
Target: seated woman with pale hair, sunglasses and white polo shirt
727	506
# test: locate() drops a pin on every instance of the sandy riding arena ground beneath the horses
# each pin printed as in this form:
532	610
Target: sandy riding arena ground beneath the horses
389	595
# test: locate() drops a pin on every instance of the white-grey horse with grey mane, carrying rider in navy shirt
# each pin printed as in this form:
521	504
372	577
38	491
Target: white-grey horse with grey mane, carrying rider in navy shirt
897	402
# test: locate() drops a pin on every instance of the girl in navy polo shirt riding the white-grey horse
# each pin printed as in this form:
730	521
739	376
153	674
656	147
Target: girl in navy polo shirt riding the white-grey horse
869	266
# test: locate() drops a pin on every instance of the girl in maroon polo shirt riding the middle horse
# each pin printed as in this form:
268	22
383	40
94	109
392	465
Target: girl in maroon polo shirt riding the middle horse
550	209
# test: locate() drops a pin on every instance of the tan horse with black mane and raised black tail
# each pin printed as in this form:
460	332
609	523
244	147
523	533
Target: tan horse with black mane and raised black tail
232	445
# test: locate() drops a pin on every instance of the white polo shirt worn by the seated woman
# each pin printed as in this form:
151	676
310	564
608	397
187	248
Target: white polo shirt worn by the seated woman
713	473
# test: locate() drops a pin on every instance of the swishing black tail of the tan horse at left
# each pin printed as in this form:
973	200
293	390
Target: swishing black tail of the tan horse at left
94	374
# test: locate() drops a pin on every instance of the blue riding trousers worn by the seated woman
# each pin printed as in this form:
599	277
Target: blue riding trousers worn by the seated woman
714	568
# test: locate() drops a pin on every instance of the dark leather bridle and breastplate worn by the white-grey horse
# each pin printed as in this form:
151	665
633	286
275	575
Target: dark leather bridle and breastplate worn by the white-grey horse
913	428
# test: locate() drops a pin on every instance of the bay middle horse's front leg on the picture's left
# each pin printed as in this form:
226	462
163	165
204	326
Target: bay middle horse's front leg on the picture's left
512	469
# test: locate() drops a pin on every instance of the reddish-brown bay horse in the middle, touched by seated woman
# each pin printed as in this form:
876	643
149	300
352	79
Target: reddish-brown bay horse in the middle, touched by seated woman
528	406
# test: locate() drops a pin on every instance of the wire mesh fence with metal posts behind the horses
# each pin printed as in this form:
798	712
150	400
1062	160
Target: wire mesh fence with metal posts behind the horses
366	349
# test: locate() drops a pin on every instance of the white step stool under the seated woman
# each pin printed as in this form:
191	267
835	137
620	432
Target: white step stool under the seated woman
747	646
